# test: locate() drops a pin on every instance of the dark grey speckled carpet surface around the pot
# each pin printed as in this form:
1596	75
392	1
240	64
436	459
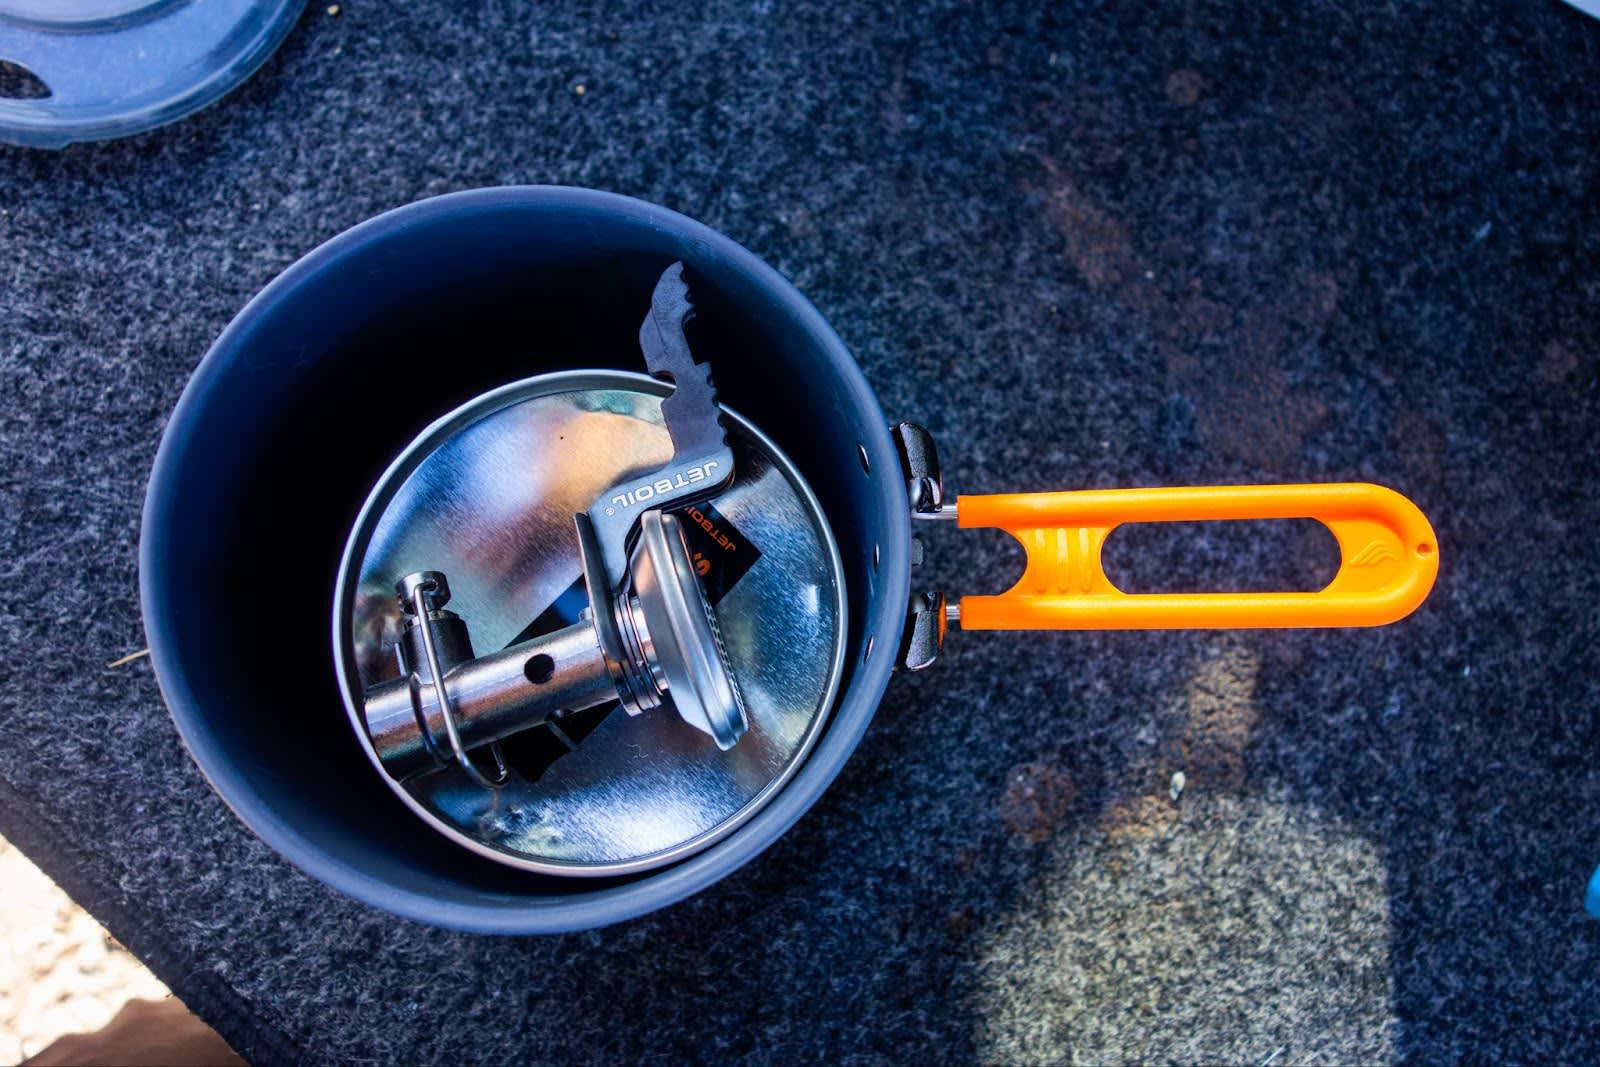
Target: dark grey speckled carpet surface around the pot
1089	246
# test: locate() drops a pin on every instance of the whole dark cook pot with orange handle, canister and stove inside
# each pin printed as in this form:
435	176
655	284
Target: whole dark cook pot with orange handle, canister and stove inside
334	441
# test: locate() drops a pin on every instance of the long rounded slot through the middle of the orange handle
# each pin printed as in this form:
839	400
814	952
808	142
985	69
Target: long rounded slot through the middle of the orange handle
1238	556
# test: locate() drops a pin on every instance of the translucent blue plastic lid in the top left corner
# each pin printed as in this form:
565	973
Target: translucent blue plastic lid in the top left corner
100	70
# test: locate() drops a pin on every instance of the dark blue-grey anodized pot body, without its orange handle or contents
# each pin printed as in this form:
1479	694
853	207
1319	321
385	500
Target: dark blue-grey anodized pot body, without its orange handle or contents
329	374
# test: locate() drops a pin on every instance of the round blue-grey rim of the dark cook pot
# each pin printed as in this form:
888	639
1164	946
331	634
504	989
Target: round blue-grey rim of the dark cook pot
505	913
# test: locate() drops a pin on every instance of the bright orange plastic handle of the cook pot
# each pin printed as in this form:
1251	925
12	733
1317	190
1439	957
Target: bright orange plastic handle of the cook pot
1388	567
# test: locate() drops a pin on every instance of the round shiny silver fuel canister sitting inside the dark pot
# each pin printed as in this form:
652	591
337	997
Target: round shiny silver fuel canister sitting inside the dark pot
489	497
